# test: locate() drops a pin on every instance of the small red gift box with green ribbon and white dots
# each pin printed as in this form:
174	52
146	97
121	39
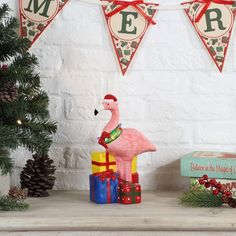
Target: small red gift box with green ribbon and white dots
129	193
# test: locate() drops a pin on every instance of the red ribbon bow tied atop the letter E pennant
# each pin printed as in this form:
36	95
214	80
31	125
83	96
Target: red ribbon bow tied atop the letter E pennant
134	4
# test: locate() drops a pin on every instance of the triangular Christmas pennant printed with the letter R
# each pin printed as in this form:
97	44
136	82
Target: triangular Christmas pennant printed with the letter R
213	22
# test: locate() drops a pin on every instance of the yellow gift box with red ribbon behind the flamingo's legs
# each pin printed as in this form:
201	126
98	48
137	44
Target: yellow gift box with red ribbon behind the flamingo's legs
100	163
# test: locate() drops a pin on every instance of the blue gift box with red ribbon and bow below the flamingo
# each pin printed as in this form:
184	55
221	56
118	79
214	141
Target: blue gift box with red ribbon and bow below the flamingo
104	187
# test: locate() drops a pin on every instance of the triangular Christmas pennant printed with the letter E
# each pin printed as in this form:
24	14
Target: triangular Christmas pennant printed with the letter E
127	23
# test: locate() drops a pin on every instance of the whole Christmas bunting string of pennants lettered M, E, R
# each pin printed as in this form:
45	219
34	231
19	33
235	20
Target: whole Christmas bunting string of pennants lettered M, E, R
129	20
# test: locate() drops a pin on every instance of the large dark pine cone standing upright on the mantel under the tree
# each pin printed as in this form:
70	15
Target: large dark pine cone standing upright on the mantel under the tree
37	176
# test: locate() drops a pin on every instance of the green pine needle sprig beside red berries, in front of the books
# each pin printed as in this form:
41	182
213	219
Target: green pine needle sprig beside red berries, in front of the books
203	198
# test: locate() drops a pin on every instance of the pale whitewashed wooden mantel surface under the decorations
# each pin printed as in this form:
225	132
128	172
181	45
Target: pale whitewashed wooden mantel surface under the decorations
159	211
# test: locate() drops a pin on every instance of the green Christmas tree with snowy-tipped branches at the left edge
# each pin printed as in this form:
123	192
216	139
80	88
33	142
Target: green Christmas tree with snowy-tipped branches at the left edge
24	114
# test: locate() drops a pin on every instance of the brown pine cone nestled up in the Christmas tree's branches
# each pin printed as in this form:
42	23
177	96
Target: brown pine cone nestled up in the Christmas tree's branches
8	92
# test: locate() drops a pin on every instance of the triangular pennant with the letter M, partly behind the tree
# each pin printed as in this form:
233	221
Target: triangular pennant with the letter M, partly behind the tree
36	15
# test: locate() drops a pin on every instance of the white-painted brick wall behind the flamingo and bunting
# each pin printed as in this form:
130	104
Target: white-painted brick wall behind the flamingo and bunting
172	93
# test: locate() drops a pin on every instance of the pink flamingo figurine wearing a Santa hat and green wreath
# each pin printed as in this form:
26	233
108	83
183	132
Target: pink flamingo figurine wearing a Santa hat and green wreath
123	144
